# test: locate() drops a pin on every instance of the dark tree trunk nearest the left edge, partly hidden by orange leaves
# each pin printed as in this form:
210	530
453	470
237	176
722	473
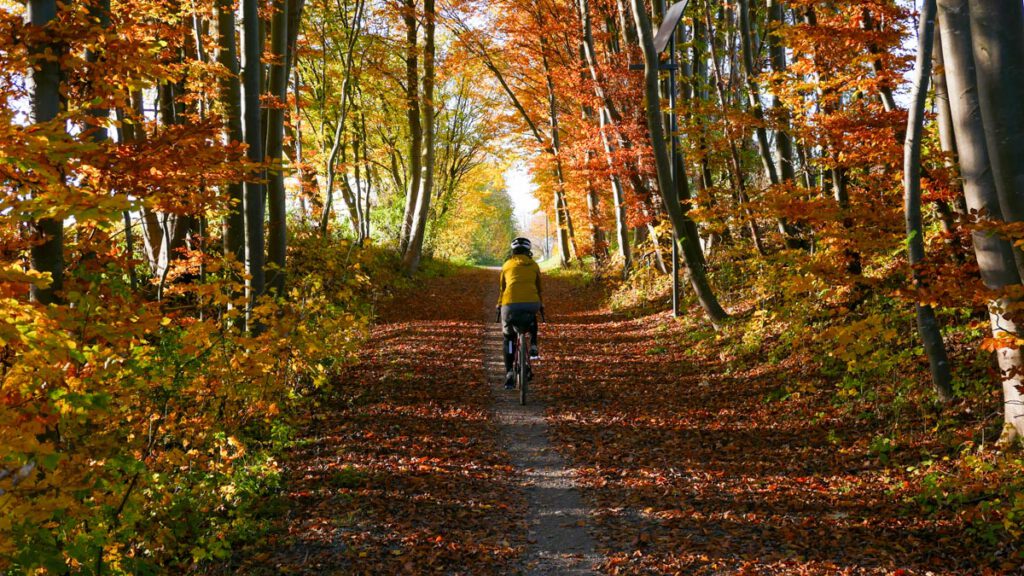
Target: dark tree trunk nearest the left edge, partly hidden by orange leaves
44	84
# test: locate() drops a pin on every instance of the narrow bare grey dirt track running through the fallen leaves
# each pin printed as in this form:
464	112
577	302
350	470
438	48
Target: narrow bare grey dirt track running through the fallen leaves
557	517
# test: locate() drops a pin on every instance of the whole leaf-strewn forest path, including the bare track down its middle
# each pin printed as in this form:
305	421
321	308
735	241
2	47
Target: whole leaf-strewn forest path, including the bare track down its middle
416	463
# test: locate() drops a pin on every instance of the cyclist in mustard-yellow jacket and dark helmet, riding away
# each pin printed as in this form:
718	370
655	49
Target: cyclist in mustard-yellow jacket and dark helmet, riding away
520	294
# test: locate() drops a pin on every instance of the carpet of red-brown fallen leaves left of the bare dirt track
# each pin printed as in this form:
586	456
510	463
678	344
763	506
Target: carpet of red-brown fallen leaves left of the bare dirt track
402	474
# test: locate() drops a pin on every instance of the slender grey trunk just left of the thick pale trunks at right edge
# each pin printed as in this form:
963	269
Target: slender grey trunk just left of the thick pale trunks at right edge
928	327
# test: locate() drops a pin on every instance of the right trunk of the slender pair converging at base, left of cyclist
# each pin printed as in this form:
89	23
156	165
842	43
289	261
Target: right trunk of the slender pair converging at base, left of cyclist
411	262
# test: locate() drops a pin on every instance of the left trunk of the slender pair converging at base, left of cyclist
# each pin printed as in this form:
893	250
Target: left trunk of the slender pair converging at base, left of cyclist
413	115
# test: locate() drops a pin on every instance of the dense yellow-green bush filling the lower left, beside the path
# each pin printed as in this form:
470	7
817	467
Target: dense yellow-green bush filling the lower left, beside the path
138	434
